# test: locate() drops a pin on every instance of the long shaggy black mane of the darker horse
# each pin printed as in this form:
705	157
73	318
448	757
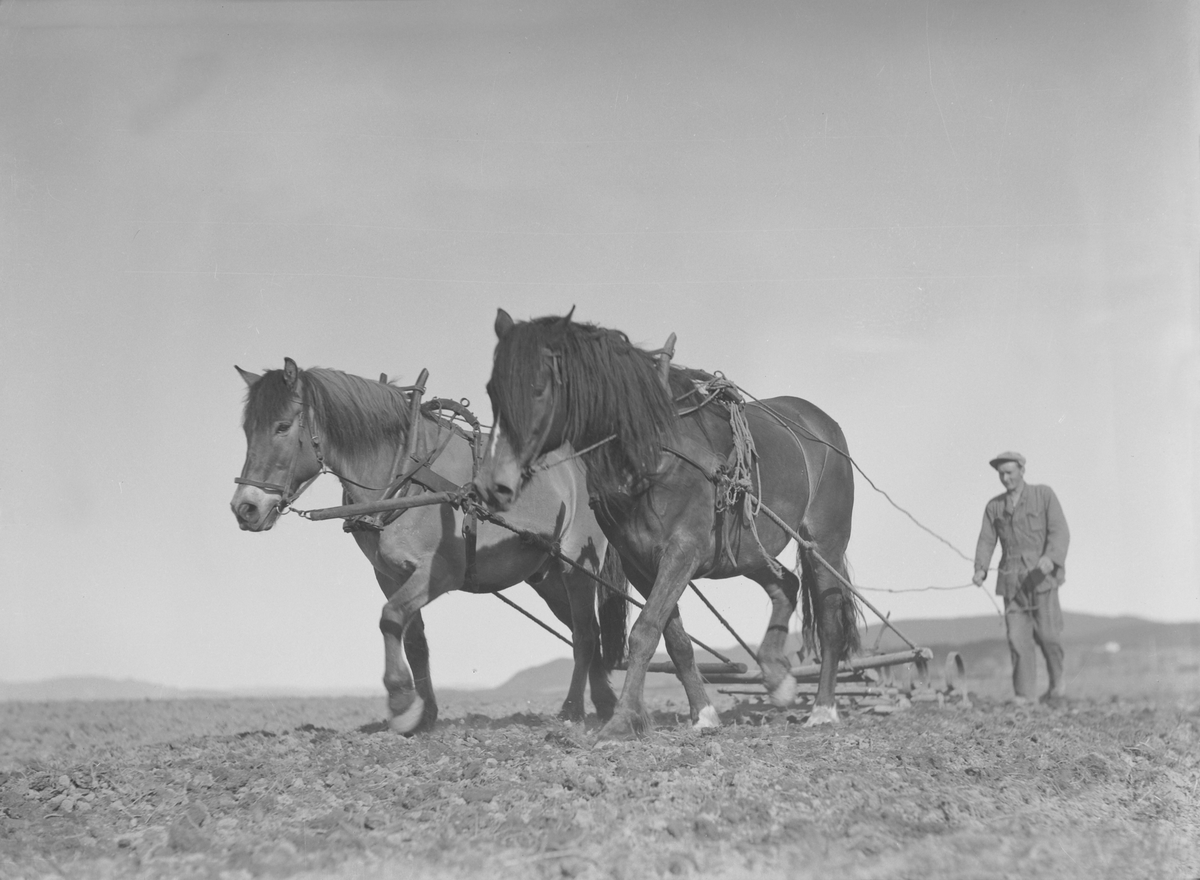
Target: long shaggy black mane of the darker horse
610	387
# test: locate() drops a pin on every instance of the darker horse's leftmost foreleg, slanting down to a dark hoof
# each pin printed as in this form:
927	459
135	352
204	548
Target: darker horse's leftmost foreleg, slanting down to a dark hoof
631	719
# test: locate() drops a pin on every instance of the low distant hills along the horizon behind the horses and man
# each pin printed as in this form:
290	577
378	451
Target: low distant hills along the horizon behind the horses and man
981	640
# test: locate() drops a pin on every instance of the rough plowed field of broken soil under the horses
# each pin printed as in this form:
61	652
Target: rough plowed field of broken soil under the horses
317	788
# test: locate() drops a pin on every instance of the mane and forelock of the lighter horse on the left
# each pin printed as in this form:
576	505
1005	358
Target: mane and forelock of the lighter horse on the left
356	416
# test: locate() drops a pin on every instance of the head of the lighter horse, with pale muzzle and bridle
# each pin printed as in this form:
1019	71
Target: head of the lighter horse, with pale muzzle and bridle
281	451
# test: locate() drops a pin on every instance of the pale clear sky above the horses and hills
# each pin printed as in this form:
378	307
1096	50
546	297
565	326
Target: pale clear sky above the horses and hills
959	229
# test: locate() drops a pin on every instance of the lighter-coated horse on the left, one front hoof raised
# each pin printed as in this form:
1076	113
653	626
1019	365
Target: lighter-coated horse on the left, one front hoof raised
302	422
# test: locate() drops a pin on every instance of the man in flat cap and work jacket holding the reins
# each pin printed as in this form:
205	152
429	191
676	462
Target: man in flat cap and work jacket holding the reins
1034	540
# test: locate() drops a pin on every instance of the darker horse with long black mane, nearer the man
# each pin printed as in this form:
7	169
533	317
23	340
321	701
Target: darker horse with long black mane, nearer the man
659	477
